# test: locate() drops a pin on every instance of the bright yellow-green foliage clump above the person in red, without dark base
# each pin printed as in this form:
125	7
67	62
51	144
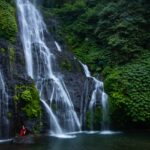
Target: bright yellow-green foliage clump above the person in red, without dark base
27	100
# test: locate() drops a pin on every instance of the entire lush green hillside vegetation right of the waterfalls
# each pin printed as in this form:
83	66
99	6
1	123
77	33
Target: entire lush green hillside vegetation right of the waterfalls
112	37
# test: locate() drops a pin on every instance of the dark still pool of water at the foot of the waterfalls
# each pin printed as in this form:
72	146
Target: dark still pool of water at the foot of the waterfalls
86	141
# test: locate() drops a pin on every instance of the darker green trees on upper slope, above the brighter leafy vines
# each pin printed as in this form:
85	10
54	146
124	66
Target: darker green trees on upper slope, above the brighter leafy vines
116	32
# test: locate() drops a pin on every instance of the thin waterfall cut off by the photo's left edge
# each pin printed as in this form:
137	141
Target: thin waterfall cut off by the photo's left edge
4	122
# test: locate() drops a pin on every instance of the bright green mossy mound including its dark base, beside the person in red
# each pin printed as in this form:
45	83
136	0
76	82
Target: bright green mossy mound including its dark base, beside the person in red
27	107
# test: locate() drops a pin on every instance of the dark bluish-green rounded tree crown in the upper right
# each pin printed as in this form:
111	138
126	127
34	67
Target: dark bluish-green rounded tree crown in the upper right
120	29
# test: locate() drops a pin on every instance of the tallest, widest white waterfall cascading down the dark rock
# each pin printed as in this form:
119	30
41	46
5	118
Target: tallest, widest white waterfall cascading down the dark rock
39	65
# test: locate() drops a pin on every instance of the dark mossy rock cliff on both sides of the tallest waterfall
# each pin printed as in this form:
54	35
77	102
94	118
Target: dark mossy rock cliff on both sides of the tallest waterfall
23	99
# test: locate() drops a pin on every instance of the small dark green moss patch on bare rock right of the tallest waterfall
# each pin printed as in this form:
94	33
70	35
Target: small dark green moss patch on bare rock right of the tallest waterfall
66	65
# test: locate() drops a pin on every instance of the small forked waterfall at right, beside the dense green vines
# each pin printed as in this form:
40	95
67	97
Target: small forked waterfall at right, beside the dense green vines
102	99
